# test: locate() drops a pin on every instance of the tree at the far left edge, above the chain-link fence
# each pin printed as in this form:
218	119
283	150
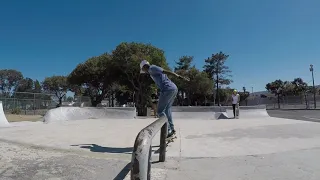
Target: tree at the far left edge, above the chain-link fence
9	81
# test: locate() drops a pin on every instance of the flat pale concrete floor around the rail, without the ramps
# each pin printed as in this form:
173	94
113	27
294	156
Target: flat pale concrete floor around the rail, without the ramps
267	148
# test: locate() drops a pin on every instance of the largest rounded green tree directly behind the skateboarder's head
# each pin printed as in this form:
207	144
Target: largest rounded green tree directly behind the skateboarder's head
127	57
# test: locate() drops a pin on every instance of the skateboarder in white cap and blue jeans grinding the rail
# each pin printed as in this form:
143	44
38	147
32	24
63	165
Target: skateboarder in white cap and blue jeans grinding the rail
168	90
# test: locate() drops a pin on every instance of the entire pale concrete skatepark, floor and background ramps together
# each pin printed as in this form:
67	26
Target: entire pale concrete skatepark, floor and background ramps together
98	146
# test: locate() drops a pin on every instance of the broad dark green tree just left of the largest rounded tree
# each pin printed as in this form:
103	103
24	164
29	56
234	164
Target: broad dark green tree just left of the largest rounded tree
94	78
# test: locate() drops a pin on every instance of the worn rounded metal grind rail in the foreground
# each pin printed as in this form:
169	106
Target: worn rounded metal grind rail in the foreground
141	155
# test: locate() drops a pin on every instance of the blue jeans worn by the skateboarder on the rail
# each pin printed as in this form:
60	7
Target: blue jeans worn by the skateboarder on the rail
166	100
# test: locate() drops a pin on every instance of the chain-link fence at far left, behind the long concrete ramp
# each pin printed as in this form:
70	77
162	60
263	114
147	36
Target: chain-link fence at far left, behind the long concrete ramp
37	103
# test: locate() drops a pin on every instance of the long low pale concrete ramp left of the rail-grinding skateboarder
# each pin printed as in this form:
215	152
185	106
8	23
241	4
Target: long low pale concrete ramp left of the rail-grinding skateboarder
81	113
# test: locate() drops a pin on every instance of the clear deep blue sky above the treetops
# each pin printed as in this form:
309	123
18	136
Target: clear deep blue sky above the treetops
266	40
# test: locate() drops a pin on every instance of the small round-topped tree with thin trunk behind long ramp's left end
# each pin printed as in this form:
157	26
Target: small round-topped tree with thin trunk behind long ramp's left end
57	85
